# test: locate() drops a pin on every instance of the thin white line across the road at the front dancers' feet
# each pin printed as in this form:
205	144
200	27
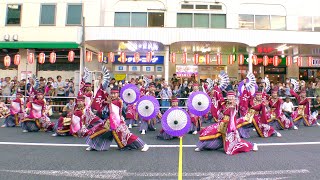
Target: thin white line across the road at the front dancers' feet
152	146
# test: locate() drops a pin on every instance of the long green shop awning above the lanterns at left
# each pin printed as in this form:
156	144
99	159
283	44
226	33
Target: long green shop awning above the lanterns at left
39	45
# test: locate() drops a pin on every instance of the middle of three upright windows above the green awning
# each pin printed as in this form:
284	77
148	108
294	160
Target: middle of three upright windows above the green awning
48	14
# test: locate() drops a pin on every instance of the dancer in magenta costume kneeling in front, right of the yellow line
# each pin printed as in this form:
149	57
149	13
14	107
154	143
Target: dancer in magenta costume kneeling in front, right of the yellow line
224	134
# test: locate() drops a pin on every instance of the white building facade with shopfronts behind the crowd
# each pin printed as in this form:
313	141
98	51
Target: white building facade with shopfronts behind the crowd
201	36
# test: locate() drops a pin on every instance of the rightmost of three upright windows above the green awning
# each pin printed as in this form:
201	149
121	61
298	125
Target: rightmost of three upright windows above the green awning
74	16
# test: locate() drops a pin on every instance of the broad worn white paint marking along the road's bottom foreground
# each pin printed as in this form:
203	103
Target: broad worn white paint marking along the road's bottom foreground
120	174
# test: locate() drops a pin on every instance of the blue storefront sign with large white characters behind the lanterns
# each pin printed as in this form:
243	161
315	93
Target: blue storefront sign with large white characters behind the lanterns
142	60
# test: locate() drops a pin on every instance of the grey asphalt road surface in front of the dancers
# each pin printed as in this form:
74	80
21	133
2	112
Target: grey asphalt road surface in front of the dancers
272	161
